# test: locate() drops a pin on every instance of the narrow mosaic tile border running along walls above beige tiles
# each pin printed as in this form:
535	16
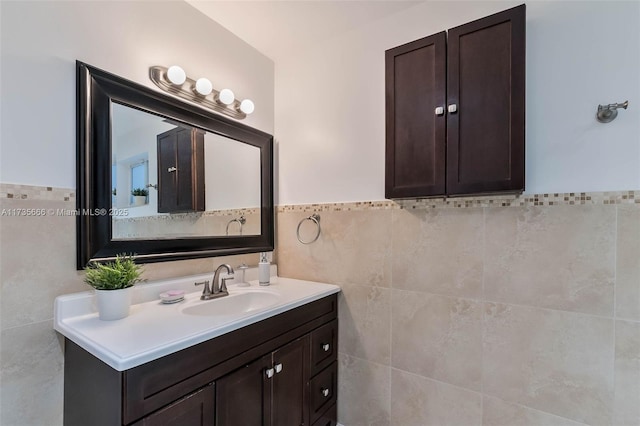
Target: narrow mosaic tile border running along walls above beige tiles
30	192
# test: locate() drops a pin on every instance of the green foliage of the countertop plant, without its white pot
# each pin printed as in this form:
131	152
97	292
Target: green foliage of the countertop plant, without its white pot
120	273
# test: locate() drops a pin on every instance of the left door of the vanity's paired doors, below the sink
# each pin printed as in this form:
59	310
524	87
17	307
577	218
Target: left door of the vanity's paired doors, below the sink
242	397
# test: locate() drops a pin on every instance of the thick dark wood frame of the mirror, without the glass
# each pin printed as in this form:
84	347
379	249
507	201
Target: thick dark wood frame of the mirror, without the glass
96	90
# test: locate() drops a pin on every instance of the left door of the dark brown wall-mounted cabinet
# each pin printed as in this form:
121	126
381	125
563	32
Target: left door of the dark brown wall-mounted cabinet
415	135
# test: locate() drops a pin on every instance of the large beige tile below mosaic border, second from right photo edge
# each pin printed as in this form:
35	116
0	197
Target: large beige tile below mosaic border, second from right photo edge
559	257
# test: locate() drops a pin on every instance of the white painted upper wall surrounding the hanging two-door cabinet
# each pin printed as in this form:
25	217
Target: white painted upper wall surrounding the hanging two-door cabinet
330	100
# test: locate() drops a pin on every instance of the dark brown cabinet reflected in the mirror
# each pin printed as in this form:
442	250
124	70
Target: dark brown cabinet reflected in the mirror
181	170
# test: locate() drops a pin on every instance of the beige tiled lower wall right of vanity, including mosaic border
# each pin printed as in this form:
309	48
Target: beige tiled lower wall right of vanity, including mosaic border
480	311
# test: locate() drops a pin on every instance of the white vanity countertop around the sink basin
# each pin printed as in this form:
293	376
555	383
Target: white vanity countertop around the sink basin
154	329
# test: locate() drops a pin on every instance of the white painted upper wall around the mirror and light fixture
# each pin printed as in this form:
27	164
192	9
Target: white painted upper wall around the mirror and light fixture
40	42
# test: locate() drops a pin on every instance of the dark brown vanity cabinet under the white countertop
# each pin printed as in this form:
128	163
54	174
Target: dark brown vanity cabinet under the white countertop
281	371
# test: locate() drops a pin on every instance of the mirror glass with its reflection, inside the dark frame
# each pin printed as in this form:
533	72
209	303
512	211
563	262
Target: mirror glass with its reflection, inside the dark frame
195	183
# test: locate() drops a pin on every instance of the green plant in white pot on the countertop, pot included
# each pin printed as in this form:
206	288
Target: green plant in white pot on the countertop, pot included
113	282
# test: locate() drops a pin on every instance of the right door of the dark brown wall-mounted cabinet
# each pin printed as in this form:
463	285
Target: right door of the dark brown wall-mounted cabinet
486	81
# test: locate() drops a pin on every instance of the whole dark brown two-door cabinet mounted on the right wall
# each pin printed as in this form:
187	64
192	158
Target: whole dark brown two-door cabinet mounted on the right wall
455	110
